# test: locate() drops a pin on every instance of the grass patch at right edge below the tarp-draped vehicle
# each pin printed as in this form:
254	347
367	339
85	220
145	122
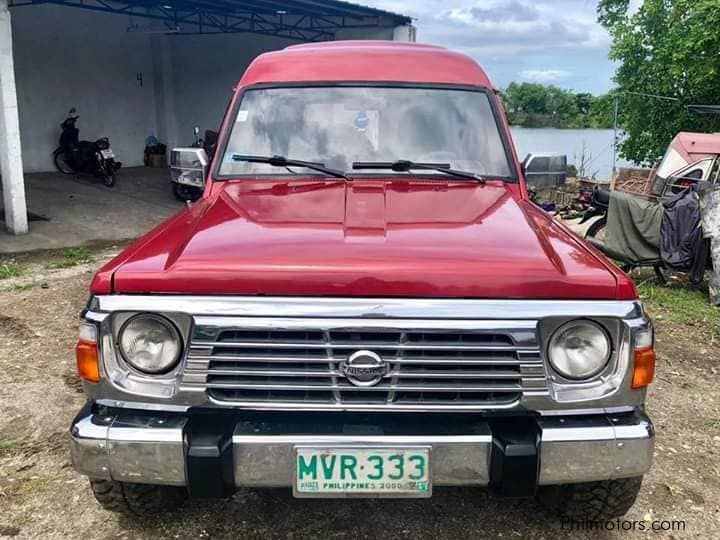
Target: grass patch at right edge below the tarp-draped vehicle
678	303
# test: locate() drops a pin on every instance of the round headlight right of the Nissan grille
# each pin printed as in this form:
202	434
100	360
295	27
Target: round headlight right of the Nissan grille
579	349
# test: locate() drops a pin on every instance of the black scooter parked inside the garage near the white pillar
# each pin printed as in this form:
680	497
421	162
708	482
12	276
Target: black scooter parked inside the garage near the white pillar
75	156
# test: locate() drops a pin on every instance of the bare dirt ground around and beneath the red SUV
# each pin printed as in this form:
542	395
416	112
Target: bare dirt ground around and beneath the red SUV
42	497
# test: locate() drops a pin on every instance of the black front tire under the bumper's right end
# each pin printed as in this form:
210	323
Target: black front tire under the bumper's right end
608	499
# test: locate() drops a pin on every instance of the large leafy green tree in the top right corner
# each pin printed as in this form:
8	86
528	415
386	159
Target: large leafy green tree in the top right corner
668	48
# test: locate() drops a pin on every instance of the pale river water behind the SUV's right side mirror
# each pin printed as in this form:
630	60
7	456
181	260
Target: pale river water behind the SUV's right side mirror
595	144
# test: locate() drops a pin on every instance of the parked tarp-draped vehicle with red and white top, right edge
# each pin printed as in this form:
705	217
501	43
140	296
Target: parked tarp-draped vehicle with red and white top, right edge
661	230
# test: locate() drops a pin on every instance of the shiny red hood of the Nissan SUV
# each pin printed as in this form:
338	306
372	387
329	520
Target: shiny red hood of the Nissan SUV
367	238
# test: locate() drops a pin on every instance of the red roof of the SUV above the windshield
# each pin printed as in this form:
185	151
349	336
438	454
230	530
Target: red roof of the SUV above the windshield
389	61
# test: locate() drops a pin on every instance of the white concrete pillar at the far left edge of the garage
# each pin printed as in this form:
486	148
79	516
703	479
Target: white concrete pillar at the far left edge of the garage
11	168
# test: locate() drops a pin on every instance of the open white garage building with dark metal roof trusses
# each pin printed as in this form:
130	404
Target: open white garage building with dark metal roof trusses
136	68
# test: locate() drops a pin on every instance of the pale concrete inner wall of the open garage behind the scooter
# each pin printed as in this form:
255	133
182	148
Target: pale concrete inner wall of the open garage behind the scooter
71	57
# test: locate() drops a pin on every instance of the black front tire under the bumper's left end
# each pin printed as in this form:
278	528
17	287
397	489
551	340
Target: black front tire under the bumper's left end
137	499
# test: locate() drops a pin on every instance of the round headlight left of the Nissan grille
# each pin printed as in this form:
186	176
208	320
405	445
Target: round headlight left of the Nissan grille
150	343
